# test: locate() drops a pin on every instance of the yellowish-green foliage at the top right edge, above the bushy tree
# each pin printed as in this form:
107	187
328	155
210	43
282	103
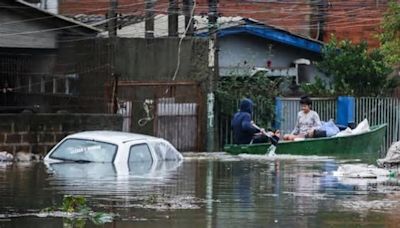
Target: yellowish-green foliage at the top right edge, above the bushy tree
390	36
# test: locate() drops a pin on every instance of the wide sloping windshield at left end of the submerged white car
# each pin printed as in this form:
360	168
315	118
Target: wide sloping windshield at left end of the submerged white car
81	150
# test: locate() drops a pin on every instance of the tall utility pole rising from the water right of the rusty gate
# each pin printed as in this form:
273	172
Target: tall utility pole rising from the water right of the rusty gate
213	65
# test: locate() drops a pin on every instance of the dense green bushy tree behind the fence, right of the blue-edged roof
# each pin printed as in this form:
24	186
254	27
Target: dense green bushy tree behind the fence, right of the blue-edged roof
353	70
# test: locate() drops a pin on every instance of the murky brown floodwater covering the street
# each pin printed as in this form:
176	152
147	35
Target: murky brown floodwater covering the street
205	190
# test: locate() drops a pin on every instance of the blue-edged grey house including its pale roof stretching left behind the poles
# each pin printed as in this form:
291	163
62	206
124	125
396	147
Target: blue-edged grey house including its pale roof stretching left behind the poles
247	47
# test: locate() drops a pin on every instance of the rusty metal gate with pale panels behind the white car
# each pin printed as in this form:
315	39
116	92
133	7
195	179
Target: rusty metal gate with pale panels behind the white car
170	110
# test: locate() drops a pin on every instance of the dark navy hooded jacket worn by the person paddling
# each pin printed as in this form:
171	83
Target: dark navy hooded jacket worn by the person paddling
243	130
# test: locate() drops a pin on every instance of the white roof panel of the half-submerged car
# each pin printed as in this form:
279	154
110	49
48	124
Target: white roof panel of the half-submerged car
111	136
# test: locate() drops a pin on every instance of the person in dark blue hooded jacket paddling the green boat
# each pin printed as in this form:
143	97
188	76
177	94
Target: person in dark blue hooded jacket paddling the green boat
244	129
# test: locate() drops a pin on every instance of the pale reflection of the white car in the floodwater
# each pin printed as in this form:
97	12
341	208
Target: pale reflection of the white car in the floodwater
109	178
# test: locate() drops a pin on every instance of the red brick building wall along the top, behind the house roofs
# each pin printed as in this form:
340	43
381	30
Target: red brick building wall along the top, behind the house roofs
355	20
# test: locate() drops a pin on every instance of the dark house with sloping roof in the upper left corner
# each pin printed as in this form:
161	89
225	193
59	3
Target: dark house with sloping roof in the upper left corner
40	67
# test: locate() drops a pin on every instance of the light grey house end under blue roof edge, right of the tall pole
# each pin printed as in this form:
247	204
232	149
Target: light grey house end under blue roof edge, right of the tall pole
250	47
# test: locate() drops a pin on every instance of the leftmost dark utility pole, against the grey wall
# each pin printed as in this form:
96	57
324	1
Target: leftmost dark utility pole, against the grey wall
112	35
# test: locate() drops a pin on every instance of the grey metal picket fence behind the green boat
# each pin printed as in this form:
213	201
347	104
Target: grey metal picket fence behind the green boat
377	110
